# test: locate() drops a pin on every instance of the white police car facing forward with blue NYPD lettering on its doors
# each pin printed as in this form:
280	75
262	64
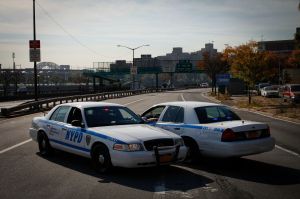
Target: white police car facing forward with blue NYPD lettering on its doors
110	134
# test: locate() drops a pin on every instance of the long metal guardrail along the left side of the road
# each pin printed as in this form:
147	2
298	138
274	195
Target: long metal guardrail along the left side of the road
46	104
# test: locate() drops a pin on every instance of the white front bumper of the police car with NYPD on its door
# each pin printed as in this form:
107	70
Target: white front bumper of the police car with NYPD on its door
159	156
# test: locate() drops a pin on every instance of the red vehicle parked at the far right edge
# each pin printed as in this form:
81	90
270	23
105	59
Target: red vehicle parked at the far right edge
291	92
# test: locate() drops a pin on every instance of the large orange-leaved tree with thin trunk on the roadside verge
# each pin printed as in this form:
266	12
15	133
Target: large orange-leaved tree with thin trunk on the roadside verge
250	64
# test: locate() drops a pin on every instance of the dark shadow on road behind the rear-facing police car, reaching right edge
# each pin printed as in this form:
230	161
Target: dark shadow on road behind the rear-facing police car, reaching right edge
250	170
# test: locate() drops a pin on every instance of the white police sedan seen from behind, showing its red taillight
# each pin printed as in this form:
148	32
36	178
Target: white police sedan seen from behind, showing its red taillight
211	129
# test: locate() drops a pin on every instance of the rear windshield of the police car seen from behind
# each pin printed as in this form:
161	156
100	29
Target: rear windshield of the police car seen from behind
211	114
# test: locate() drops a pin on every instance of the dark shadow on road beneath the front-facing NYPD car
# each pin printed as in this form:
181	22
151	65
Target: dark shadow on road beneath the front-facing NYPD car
173	178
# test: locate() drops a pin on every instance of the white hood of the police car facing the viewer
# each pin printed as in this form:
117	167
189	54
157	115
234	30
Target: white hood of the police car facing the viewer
133	133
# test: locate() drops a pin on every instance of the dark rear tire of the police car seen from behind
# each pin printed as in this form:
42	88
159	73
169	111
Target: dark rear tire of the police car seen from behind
193	154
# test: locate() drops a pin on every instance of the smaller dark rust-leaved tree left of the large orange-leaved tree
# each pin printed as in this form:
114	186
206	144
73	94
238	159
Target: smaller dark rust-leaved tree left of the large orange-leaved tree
214	64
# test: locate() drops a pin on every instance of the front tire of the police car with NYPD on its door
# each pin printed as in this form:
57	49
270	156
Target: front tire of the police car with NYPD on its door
101	159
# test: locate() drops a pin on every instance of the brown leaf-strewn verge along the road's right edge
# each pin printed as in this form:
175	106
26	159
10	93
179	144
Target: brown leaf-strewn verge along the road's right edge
270	106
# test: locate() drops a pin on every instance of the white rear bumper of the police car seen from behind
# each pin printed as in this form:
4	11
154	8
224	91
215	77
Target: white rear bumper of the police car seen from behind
241	148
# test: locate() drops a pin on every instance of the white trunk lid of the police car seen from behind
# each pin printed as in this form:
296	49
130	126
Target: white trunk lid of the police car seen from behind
238	125
